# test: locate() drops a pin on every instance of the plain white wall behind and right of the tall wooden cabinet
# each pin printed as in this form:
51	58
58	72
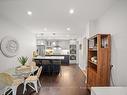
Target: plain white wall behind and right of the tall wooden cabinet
114	21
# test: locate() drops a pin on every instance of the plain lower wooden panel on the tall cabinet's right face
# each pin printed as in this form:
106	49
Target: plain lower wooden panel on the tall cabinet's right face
103	68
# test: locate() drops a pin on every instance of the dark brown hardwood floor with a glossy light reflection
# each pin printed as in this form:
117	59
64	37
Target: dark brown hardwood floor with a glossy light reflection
71	81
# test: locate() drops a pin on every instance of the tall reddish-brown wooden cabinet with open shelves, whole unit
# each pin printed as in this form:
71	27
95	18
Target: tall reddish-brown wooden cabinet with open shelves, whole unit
98	65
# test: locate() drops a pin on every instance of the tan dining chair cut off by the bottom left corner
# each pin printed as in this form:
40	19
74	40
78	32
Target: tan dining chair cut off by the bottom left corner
9	83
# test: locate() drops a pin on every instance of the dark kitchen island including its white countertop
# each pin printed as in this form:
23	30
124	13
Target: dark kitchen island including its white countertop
50	64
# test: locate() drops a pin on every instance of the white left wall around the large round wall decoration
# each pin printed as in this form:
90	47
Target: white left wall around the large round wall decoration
26	41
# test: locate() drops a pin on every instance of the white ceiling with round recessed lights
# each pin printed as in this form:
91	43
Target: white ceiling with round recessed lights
53	14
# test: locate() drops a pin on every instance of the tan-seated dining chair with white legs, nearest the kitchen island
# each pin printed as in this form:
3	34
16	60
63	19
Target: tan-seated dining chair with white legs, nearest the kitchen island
33	79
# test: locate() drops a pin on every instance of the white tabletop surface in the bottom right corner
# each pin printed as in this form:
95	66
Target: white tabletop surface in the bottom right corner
109	91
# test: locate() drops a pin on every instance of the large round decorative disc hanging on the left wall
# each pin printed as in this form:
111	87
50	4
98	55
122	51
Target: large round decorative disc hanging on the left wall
9	46
